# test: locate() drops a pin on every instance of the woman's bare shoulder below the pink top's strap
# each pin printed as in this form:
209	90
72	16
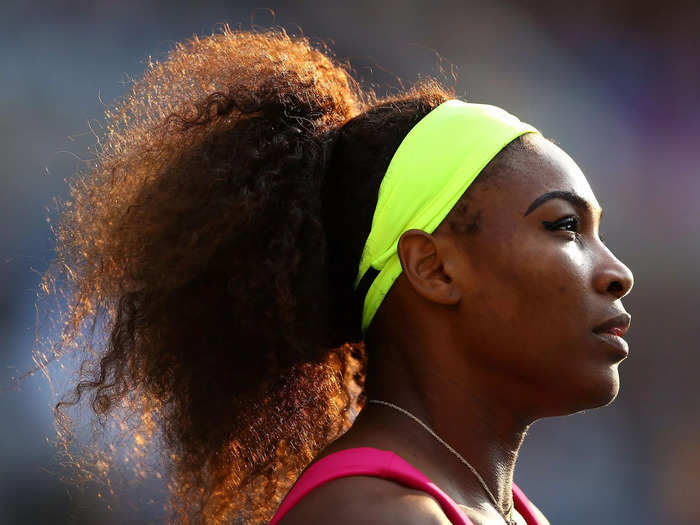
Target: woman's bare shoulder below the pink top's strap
360	500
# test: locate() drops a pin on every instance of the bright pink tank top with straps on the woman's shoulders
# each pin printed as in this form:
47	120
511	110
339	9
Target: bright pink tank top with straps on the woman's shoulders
368	461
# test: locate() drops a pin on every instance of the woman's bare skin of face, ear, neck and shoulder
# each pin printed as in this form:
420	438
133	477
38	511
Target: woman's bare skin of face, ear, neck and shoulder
481	335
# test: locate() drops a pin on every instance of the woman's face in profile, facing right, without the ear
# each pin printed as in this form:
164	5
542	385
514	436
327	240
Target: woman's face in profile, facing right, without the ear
536	281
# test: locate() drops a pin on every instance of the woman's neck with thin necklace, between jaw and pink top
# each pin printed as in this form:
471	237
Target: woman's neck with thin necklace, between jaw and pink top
478	425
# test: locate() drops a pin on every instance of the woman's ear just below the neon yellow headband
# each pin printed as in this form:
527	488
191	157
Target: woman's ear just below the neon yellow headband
421	256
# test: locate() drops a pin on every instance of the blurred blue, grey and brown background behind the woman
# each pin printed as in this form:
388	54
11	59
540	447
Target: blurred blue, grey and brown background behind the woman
614	83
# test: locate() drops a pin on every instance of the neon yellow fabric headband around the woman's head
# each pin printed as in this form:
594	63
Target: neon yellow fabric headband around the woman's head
431	169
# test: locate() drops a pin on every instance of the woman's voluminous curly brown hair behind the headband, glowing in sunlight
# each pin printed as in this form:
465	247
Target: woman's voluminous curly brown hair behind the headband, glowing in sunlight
217	237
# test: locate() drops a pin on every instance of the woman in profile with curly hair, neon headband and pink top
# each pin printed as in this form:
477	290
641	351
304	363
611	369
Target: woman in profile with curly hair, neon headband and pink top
255	221
